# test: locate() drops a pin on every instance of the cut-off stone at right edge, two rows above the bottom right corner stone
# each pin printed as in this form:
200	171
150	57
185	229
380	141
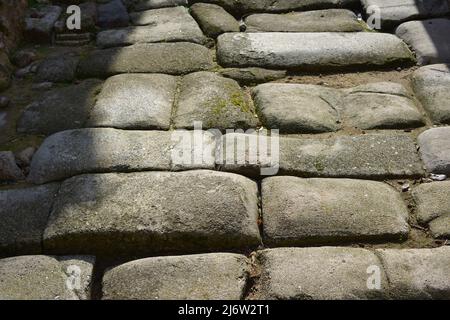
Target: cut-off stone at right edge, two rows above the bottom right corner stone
433	207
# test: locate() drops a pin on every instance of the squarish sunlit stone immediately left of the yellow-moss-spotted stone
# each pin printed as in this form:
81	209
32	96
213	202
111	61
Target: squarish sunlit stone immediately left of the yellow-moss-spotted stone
135	101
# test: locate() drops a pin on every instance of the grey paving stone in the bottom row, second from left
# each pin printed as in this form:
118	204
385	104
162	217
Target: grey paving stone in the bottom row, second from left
215	276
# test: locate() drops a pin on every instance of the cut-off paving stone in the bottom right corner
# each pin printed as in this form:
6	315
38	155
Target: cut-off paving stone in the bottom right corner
417	273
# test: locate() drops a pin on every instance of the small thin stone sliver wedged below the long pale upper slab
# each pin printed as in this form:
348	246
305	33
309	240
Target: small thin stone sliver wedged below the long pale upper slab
252	76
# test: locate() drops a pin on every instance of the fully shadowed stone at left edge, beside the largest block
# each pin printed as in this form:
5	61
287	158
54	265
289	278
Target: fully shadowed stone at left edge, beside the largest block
24	214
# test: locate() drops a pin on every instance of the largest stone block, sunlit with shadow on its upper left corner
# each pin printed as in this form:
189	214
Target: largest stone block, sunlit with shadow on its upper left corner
126	214
